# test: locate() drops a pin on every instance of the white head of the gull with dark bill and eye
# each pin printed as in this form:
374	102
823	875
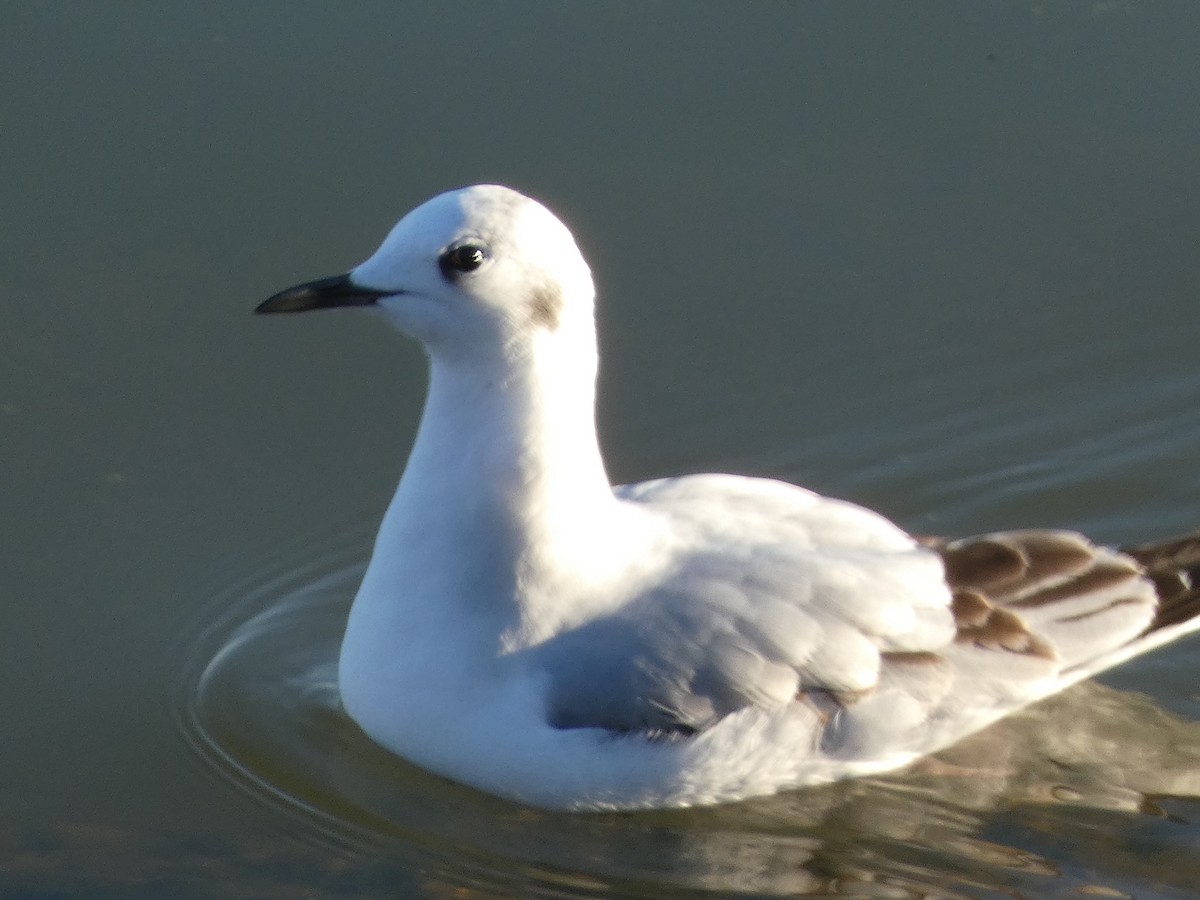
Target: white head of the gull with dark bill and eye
476	267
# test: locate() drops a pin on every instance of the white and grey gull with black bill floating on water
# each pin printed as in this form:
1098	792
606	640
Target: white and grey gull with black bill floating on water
530	629
